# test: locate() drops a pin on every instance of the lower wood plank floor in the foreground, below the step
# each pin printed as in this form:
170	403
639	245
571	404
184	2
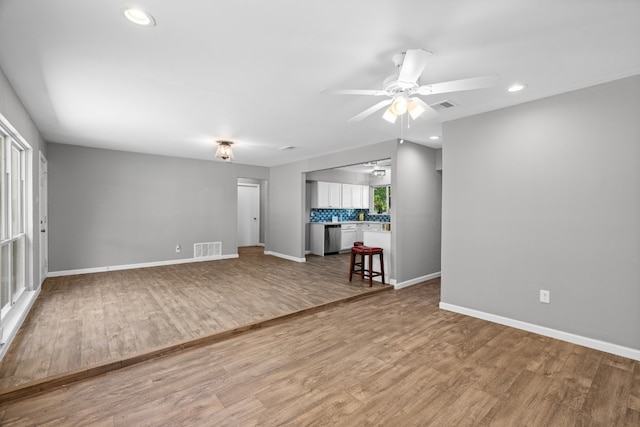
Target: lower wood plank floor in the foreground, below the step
392	359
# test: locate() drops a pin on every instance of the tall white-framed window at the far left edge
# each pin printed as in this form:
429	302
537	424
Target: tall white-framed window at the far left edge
12	222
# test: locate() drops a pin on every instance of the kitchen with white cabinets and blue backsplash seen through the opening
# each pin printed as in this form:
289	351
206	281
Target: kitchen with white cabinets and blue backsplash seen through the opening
347	205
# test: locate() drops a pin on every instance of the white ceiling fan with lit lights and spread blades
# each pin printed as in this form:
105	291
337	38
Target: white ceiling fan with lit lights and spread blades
403	88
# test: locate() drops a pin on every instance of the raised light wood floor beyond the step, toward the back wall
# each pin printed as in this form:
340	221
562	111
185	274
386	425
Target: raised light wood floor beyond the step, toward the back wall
104	321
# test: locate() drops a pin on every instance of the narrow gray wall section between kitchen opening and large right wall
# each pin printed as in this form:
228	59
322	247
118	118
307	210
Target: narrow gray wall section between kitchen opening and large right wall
416	195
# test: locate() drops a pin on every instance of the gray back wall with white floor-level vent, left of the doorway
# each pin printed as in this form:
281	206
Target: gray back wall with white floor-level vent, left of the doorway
110	208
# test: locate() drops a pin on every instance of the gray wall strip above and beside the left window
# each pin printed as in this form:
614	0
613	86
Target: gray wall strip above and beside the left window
14	112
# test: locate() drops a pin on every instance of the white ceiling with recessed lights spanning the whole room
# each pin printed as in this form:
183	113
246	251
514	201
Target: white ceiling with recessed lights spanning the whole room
251	70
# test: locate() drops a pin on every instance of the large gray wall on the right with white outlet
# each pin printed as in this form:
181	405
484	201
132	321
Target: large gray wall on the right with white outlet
546	195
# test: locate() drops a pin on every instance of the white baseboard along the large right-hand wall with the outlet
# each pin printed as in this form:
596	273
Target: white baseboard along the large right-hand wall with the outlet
616	349
